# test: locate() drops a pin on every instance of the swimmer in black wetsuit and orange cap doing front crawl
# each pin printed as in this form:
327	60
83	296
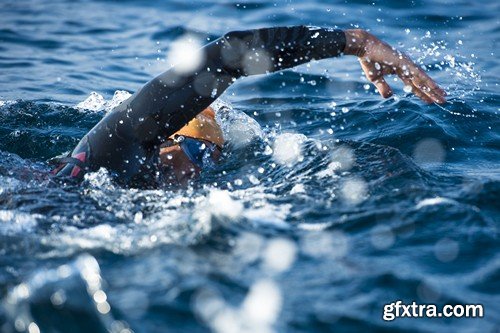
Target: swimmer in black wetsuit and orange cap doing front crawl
166	132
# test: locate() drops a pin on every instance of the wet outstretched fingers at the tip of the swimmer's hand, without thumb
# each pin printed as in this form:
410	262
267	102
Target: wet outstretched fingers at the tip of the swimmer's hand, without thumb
423	84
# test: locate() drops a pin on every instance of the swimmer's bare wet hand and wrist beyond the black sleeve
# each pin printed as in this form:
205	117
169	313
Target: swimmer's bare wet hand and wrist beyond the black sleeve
379	59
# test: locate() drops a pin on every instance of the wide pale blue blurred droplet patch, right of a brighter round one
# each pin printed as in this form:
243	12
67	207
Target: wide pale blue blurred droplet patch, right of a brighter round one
333	244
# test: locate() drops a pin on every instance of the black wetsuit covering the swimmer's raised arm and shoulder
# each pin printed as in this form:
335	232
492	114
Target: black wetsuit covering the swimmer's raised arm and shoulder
126	141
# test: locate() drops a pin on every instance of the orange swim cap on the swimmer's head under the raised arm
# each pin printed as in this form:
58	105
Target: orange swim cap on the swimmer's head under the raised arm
204	127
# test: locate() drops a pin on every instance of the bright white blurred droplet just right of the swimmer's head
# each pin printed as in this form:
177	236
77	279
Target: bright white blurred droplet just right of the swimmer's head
287	148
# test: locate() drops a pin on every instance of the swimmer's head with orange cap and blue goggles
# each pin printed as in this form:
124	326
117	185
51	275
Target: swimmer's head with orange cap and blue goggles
192	148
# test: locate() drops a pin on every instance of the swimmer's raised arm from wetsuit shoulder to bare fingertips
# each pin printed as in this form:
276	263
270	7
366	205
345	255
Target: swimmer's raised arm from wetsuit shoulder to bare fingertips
129	136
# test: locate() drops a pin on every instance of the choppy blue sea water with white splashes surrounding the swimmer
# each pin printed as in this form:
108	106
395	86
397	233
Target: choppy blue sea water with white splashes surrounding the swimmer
378	201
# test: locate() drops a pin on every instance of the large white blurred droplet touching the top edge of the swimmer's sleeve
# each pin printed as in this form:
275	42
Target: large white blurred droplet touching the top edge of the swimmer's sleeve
185	55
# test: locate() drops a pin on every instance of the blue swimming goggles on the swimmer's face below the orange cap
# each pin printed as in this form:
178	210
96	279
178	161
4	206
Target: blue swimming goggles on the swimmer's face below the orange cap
200	152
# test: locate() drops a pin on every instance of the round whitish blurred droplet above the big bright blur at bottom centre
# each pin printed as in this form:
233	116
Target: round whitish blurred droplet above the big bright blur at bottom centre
279	255
